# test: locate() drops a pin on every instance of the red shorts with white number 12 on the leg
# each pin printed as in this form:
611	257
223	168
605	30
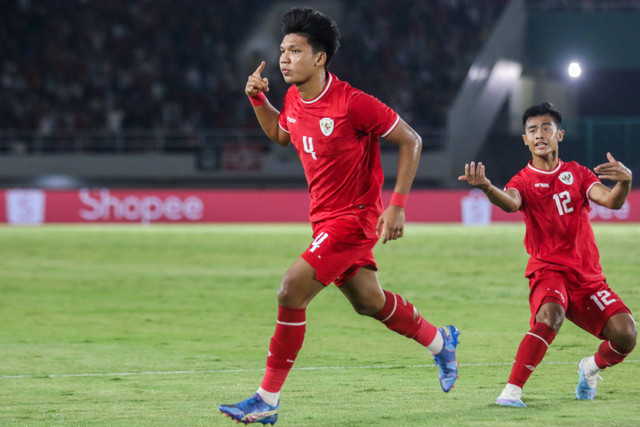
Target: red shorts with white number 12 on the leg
589	305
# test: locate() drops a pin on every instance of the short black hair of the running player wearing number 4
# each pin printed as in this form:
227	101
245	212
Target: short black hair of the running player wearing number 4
321	31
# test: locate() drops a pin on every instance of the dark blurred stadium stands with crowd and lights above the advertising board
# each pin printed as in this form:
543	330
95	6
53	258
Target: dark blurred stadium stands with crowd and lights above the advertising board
143	93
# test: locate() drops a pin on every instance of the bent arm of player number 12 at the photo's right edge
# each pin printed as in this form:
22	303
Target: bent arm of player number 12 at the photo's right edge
612	198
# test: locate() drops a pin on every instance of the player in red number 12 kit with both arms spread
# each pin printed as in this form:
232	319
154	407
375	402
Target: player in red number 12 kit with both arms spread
564	272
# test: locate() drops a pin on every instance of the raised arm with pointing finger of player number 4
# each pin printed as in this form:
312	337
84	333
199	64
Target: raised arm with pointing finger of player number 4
265	112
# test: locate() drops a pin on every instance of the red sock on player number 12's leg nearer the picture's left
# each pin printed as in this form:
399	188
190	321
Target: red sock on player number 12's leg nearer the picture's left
532	349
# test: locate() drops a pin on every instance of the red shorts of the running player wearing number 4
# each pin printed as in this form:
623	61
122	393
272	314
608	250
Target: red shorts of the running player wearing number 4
340	247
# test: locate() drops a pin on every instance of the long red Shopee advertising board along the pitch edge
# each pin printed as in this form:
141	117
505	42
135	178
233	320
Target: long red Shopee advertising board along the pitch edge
37	206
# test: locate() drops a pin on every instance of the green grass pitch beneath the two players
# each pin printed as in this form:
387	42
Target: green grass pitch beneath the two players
158	325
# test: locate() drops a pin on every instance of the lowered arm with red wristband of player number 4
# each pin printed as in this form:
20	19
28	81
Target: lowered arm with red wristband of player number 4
409	143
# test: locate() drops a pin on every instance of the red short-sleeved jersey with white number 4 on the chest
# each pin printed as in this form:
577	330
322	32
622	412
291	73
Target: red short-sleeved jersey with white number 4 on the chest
336	136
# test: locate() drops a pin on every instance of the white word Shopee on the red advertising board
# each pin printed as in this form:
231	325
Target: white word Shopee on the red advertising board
104	206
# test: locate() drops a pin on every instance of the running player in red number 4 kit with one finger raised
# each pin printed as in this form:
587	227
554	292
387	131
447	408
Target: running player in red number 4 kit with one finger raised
335	129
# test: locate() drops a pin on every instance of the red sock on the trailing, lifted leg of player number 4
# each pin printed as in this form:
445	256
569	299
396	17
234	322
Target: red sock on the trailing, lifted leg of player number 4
400	316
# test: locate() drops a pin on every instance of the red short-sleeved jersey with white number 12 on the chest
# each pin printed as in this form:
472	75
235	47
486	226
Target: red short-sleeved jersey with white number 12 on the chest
555	206
